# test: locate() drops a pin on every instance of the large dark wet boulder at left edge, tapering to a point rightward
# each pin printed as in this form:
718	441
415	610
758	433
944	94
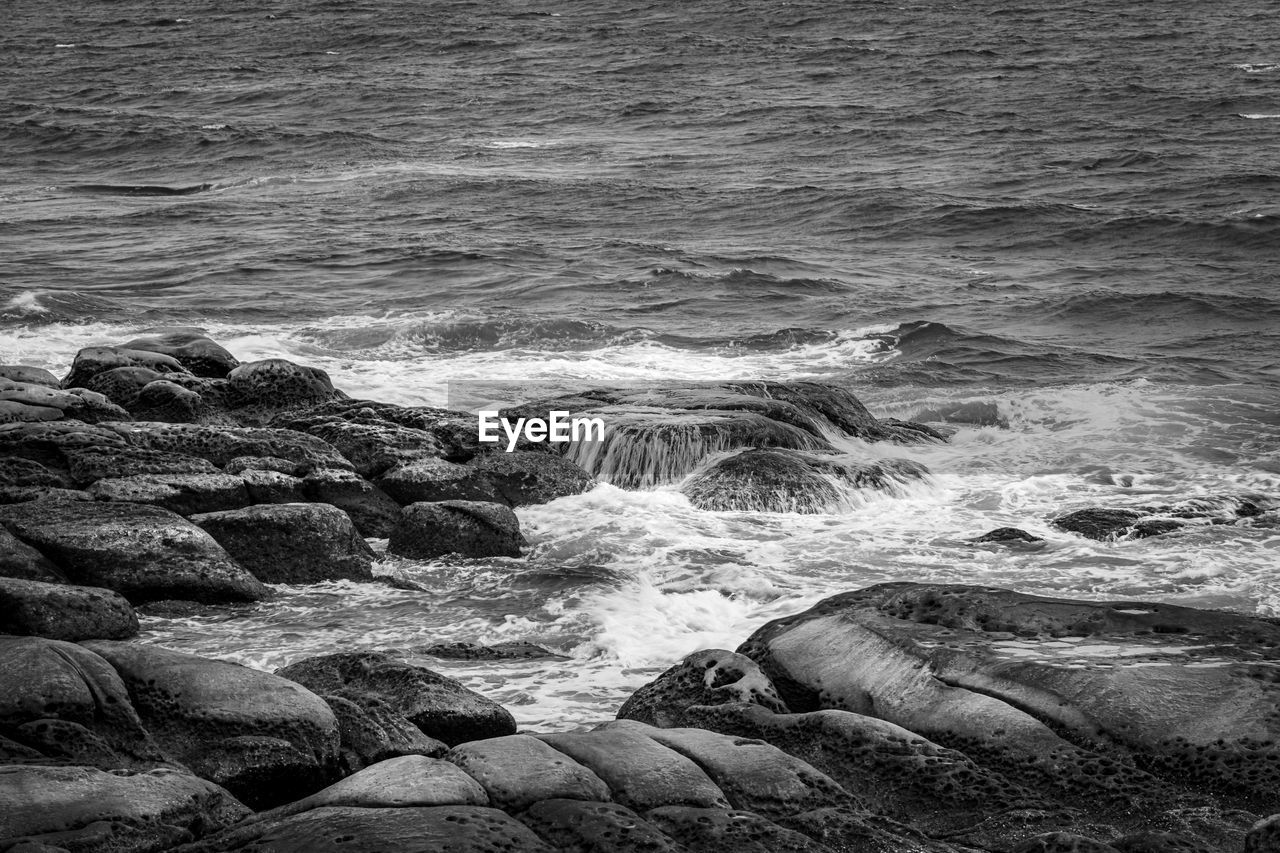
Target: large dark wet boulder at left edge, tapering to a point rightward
141	553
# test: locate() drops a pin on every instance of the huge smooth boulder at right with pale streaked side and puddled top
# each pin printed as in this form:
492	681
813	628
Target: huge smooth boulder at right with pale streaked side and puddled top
1068	697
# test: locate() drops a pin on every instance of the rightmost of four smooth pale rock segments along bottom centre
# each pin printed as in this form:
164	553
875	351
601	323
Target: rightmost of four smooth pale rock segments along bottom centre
755	776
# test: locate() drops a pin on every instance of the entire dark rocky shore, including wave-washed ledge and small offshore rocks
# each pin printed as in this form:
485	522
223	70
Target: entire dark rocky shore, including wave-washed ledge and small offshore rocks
902	718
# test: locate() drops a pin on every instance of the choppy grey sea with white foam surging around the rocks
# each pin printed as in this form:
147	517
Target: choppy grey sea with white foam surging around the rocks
1066	211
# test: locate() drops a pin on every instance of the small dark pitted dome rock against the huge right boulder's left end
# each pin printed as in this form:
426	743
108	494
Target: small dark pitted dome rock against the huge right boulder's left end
711	677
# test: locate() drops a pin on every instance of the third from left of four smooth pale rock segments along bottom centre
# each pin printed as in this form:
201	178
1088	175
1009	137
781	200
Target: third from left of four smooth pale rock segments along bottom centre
641	773
